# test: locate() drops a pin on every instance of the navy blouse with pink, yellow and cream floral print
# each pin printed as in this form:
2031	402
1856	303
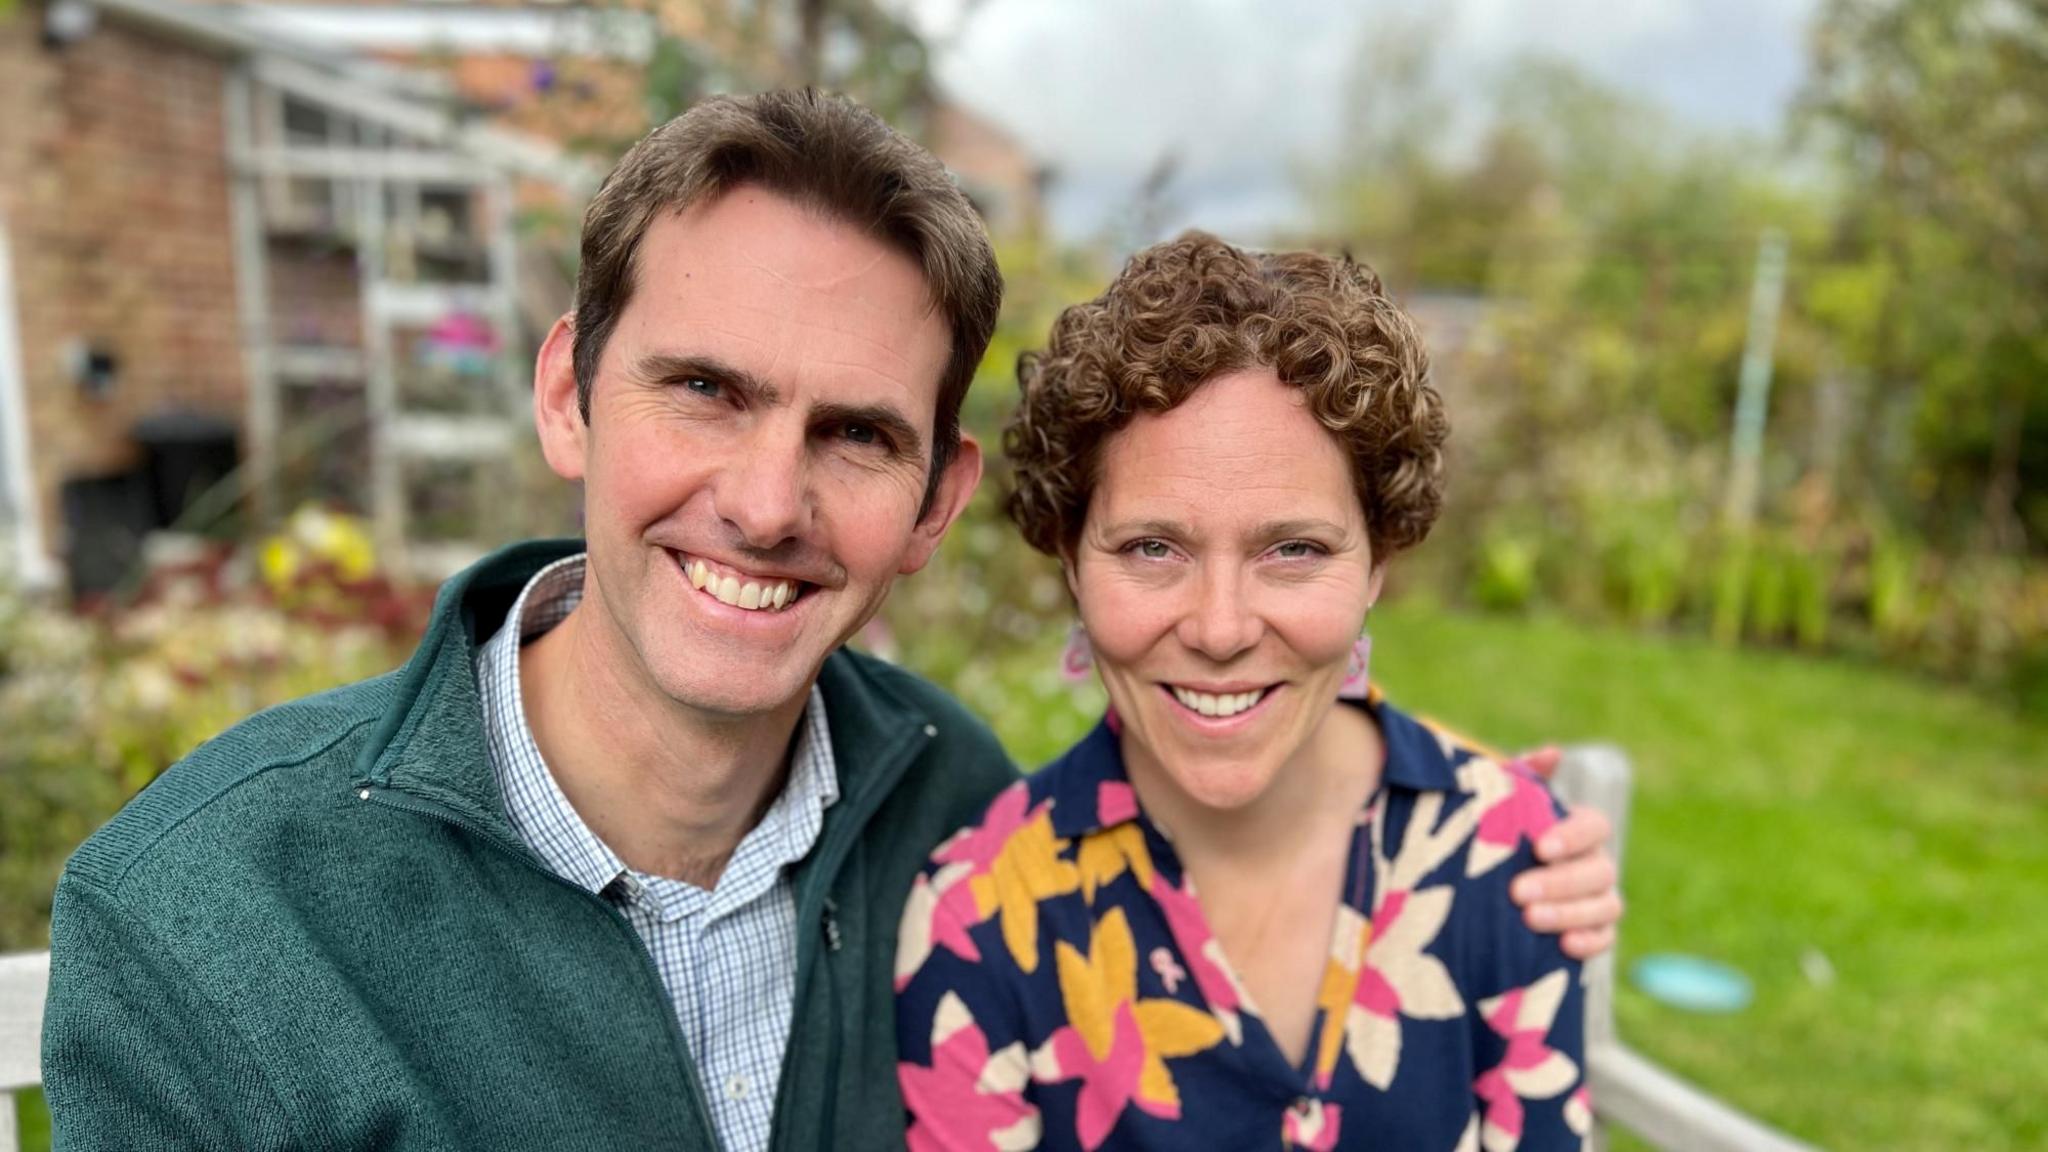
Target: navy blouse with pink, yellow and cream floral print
1060	987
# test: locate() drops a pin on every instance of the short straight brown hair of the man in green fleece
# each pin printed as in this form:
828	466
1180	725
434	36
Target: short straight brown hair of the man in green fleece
824	153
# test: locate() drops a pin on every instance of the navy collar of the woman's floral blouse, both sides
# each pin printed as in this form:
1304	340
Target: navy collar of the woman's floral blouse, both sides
1093	790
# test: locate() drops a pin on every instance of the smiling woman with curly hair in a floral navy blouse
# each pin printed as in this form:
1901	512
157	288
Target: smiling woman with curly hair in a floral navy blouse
1244	913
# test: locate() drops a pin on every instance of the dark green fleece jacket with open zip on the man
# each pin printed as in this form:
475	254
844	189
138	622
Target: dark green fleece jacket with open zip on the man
321	932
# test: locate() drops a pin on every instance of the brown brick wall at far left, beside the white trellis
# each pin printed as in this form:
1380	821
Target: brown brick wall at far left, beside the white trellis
114	188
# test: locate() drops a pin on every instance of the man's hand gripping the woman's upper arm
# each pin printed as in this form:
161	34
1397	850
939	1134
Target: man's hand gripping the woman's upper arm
1574	891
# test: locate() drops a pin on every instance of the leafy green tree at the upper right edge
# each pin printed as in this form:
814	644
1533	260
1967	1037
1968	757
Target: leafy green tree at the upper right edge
1938	112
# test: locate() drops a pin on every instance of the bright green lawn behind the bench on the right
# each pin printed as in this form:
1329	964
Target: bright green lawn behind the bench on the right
1895	827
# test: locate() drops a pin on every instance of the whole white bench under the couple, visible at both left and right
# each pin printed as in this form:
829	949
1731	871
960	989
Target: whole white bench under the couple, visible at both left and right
1629	1092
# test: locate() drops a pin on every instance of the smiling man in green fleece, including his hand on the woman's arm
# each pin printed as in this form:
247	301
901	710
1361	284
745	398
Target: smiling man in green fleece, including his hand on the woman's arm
617	860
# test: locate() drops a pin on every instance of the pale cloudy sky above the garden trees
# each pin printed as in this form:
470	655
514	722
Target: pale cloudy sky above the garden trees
1242	91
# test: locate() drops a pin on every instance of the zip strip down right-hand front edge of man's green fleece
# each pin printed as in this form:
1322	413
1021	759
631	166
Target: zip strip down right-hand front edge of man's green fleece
818	923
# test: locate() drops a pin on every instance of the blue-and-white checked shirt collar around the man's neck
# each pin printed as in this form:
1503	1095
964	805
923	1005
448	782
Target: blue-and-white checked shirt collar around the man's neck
538	807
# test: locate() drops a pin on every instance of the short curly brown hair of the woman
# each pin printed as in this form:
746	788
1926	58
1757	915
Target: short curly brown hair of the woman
1195	308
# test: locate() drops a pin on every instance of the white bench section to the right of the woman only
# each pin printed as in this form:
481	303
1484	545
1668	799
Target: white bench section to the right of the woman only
1631	1092
